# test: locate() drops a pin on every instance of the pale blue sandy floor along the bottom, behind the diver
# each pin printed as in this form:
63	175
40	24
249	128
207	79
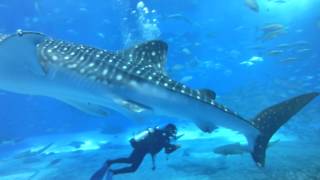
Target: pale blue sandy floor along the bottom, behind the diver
292	160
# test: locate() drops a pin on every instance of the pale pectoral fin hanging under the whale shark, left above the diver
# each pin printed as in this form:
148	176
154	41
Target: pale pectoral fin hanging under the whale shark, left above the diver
89	108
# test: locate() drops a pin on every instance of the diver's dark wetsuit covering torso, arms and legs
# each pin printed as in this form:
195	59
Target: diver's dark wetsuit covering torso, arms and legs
152	144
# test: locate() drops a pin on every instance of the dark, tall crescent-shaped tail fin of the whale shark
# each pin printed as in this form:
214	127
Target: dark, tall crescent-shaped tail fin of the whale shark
271	119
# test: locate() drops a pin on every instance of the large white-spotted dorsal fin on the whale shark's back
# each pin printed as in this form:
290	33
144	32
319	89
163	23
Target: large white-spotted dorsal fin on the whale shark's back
152	53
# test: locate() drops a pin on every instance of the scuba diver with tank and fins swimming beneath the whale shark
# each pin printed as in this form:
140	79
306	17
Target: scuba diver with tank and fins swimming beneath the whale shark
150	141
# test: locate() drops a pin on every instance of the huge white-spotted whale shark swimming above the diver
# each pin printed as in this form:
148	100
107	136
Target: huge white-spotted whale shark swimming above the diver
132	82
